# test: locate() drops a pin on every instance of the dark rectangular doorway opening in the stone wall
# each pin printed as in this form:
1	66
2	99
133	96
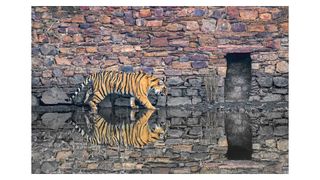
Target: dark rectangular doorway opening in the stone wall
238	78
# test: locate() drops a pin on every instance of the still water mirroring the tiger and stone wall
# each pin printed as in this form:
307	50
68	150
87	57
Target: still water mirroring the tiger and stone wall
224	139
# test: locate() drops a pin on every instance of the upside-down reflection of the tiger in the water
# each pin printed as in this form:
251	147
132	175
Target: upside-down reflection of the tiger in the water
129	134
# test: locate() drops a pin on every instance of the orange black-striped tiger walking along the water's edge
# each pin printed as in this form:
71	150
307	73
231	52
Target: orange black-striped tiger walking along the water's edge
135	84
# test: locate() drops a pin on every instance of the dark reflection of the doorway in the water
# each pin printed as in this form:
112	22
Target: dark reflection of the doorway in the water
239	136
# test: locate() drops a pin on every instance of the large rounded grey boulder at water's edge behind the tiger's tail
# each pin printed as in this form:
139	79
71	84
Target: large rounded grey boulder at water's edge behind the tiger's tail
55	96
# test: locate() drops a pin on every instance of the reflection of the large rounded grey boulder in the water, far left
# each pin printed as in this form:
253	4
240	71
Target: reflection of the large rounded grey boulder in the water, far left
55	120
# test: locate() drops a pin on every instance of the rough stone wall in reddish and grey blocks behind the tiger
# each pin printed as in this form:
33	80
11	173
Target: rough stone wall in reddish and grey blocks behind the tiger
188	45
